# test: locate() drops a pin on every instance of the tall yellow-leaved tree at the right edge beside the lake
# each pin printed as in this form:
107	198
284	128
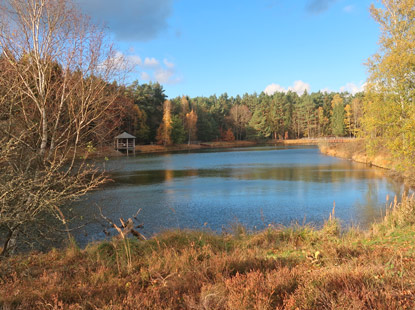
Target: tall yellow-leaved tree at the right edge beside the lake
389	112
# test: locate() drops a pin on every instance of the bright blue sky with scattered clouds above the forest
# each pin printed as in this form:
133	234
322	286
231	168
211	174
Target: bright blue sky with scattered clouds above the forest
201	48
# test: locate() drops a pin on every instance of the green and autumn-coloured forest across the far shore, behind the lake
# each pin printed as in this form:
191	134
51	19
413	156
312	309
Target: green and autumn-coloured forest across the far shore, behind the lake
151	117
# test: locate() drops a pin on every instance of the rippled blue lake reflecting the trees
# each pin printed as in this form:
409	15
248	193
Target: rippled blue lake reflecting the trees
254	186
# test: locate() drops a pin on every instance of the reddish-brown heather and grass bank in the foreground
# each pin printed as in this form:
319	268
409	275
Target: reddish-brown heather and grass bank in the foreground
279	268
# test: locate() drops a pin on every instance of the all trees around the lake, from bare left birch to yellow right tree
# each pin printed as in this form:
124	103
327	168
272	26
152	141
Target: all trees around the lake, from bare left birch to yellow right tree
58	101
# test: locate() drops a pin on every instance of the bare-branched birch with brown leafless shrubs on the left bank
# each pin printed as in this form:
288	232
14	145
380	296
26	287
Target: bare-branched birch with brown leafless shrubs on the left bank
55	103
